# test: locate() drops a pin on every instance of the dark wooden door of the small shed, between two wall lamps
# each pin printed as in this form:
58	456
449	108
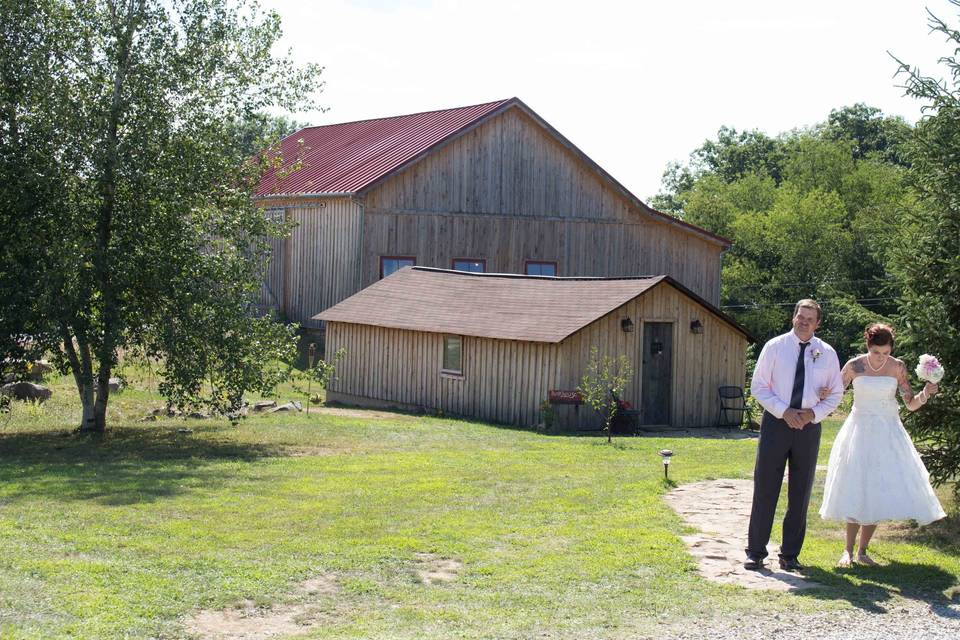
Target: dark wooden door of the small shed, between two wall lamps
657	383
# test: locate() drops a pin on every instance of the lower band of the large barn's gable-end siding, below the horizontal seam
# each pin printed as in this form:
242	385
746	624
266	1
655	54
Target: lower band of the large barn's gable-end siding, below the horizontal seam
579	247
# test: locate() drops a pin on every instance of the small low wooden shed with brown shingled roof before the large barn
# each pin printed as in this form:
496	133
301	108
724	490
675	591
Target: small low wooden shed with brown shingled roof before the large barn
496	346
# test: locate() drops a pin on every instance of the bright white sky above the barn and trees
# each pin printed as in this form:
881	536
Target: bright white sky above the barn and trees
633	84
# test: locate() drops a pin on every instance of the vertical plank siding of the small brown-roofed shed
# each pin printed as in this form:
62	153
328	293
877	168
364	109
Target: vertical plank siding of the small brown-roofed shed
505	381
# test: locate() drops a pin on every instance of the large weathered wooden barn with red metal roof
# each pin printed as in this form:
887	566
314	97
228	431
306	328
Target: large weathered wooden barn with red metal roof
484	188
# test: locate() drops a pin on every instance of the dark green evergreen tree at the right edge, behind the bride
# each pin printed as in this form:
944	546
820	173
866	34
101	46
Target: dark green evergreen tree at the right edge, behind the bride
926	257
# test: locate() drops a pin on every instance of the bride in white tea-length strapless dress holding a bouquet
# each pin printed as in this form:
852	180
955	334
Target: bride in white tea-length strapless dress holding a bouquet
875	473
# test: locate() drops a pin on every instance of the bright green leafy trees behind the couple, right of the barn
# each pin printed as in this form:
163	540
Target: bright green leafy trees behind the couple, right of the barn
812	213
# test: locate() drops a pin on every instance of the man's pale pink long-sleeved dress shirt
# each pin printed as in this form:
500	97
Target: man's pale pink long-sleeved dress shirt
772	383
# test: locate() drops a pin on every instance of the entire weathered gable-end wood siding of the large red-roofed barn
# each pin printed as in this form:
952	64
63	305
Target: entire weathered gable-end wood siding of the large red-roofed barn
507	192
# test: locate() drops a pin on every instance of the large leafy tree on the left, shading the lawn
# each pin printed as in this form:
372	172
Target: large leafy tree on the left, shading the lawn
125	185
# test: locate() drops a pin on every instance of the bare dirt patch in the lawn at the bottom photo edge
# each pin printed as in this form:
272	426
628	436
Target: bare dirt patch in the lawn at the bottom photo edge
249	621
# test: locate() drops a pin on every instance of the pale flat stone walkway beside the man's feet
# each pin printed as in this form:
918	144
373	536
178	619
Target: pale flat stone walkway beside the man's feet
720	509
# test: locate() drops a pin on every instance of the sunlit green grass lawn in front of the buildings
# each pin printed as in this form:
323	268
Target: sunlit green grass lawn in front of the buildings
126	536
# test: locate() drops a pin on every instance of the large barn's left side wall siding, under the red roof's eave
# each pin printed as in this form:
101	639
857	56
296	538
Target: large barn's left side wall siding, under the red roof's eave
318	265
